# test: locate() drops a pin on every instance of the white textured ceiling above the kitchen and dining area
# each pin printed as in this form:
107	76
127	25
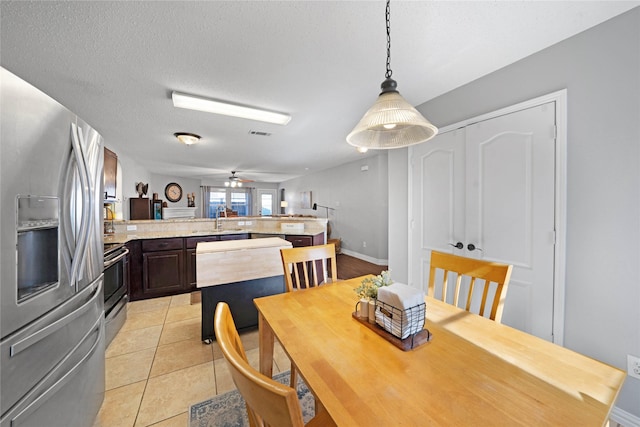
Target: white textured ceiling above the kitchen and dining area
116	64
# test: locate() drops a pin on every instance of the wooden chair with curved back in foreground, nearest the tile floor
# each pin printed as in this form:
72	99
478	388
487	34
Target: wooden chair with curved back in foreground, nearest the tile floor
269	403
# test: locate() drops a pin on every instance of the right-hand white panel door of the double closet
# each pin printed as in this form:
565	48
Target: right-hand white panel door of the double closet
510	209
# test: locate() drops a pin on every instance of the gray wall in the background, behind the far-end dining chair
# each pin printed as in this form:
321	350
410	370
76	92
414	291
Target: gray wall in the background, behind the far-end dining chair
360	199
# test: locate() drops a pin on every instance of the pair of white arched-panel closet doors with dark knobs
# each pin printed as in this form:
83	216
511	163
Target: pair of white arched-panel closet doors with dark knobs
507	205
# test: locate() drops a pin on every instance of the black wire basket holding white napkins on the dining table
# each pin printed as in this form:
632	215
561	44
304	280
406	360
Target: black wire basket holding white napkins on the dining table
400	323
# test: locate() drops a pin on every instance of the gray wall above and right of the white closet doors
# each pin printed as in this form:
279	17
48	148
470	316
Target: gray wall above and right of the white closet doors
601	70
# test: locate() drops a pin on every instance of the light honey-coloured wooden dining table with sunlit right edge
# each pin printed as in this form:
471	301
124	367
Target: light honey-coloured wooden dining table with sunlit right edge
473	372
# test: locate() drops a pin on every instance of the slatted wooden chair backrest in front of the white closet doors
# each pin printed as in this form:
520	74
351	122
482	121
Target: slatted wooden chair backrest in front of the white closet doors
488	272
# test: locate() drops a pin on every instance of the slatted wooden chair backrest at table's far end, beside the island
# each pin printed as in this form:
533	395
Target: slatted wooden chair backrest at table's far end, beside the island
309	266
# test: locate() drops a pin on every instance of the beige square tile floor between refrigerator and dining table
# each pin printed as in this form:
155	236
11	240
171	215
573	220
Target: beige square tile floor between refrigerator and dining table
156	367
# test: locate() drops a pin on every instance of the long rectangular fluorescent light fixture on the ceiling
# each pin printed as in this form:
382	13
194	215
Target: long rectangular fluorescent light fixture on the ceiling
199	103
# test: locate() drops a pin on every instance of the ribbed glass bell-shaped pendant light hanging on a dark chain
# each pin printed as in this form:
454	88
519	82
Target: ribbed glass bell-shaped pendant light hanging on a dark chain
391	122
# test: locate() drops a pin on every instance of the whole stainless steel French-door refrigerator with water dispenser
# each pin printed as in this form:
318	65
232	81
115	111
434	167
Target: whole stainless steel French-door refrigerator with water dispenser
51	302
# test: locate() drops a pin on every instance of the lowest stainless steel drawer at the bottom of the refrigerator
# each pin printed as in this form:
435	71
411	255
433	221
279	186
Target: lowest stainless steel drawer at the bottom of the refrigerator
71	394
